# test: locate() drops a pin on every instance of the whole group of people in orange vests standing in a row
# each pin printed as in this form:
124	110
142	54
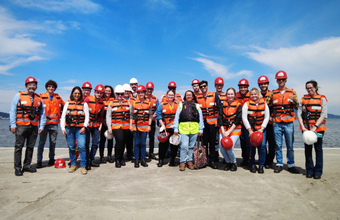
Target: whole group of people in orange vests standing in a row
130	113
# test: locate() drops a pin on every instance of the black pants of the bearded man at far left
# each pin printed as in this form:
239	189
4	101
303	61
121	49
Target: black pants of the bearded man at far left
28	133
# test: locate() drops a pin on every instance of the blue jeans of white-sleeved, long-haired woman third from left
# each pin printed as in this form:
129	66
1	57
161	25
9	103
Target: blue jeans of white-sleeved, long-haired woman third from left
72	135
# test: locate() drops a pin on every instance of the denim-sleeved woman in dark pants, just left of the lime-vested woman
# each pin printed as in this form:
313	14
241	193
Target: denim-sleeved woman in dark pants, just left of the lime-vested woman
165	116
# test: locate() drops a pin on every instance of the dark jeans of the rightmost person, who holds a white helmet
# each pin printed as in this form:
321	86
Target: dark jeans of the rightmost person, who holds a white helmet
317	169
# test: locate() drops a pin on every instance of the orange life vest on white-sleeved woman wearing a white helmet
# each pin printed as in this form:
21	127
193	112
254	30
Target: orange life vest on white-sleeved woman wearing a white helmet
120	114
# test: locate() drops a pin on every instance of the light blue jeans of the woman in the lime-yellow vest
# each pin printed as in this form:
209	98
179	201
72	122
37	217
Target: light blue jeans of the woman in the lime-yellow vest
187	146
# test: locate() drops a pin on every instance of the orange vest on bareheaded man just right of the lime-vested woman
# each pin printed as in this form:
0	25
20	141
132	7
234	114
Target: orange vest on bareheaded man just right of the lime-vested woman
208	106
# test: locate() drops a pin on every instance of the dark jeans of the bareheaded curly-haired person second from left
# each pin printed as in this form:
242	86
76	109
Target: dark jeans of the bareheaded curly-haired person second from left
52	131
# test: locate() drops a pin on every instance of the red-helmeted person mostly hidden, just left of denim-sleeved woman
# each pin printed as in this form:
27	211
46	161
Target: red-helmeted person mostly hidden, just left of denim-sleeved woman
154	103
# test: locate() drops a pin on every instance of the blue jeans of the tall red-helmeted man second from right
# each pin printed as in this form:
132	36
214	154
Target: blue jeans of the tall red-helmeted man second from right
286	129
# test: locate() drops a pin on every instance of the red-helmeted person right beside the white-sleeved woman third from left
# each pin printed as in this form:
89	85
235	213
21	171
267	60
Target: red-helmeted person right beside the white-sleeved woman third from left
96	109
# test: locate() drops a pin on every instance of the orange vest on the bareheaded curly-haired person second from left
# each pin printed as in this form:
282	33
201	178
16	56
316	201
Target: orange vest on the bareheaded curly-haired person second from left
52	108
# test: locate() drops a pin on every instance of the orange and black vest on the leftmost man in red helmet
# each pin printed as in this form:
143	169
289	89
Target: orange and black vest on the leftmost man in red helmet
25	107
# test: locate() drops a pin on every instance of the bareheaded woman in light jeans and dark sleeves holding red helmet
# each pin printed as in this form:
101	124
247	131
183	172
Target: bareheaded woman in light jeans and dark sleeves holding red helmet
229	120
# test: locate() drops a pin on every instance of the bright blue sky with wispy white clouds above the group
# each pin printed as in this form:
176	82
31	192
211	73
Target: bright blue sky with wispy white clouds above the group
111	41
